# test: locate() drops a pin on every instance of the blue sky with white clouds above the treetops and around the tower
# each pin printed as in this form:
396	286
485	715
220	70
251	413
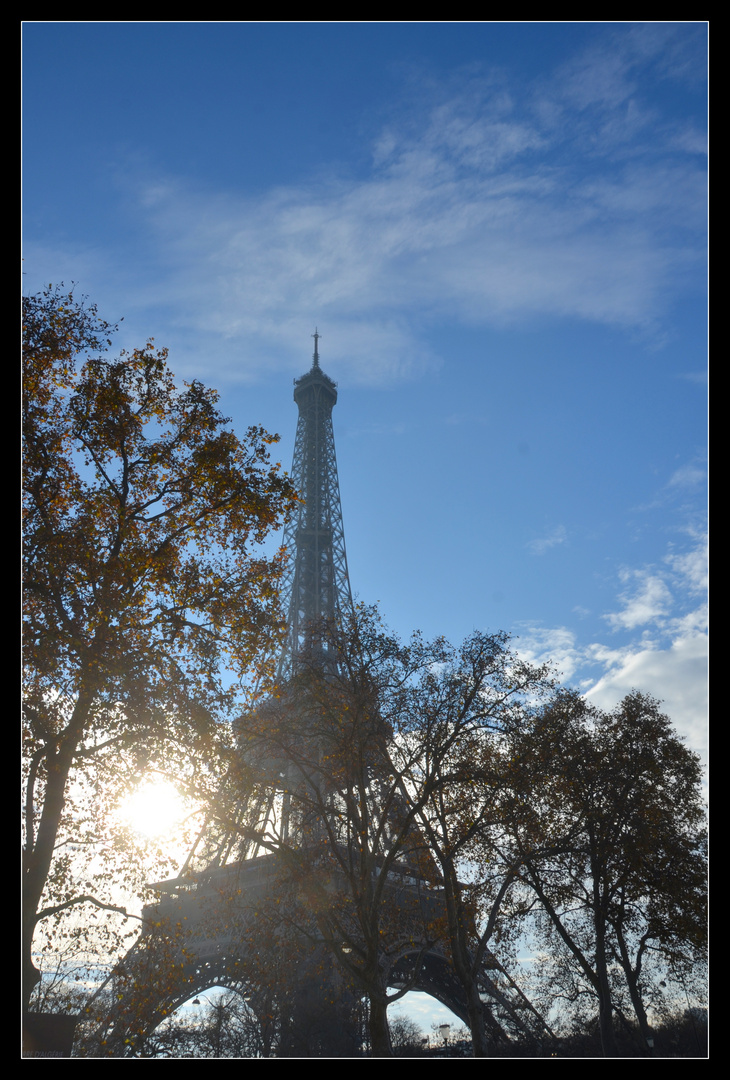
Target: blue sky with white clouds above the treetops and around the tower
499	231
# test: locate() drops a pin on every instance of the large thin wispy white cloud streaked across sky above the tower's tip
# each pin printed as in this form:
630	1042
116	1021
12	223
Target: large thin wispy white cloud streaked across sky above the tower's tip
501	204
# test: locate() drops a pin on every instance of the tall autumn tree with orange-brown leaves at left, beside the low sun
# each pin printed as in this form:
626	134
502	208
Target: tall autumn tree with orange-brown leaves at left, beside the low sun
145	606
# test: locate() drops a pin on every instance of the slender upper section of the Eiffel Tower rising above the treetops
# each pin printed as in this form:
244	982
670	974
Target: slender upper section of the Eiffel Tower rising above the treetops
317	587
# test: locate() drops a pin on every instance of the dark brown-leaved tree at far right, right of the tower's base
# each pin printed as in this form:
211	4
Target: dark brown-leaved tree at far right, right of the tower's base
619	870
